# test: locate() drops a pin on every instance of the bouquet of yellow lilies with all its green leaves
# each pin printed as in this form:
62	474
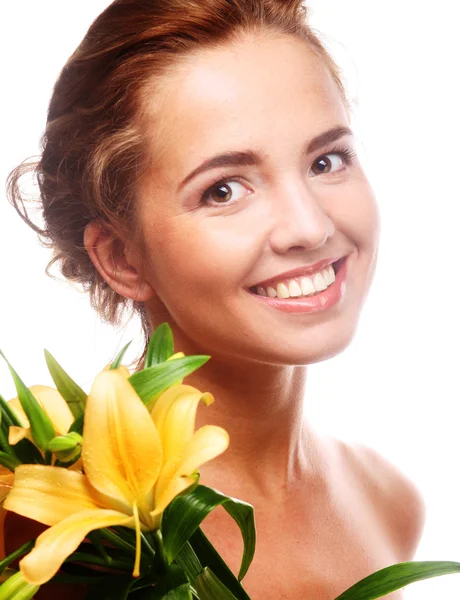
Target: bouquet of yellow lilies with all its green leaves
113	476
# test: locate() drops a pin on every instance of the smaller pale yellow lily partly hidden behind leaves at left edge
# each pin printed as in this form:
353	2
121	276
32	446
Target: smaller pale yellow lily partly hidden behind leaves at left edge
52	403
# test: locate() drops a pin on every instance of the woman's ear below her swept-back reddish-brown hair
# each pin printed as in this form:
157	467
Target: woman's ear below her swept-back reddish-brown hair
109	255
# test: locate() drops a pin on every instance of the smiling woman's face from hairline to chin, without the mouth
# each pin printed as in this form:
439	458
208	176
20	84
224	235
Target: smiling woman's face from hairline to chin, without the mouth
207	244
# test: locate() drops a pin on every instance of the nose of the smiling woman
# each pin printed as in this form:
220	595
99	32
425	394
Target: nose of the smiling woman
299	220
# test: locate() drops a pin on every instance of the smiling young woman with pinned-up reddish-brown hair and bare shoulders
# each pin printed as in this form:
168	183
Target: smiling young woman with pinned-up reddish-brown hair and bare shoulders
198	164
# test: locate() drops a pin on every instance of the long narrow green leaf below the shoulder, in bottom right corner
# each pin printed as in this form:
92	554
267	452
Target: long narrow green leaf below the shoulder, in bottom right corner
393	578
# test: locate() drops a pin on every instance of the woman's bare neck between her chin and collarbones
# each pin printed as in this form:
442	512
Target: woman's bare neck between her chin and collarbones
272	448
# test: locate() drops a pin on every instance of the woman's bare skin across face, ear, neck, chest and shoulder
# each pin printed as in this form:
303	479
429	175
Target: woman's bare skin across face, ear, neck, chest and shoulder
192	266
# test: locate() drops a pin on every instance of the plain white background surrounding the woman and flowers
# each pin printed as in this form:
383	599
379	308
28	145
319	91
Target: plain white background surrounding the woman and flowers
395	388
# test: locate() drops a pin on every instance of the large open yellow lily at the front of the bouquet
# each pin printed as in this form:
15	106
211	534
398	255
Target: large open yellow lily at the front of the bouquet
135	463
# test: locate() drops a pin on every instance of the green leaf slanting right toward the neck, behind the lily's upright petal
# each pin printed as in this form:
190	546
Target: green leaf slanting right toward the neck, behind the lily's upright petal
153	381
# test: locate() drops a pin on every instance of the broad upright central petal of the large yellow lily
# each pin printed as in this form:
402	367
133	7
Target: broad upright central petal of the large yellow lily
122	453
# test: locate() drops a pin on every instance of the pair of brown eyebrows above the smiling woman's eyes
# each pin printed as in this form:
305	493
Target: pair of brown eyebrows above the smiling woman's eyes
250	158
